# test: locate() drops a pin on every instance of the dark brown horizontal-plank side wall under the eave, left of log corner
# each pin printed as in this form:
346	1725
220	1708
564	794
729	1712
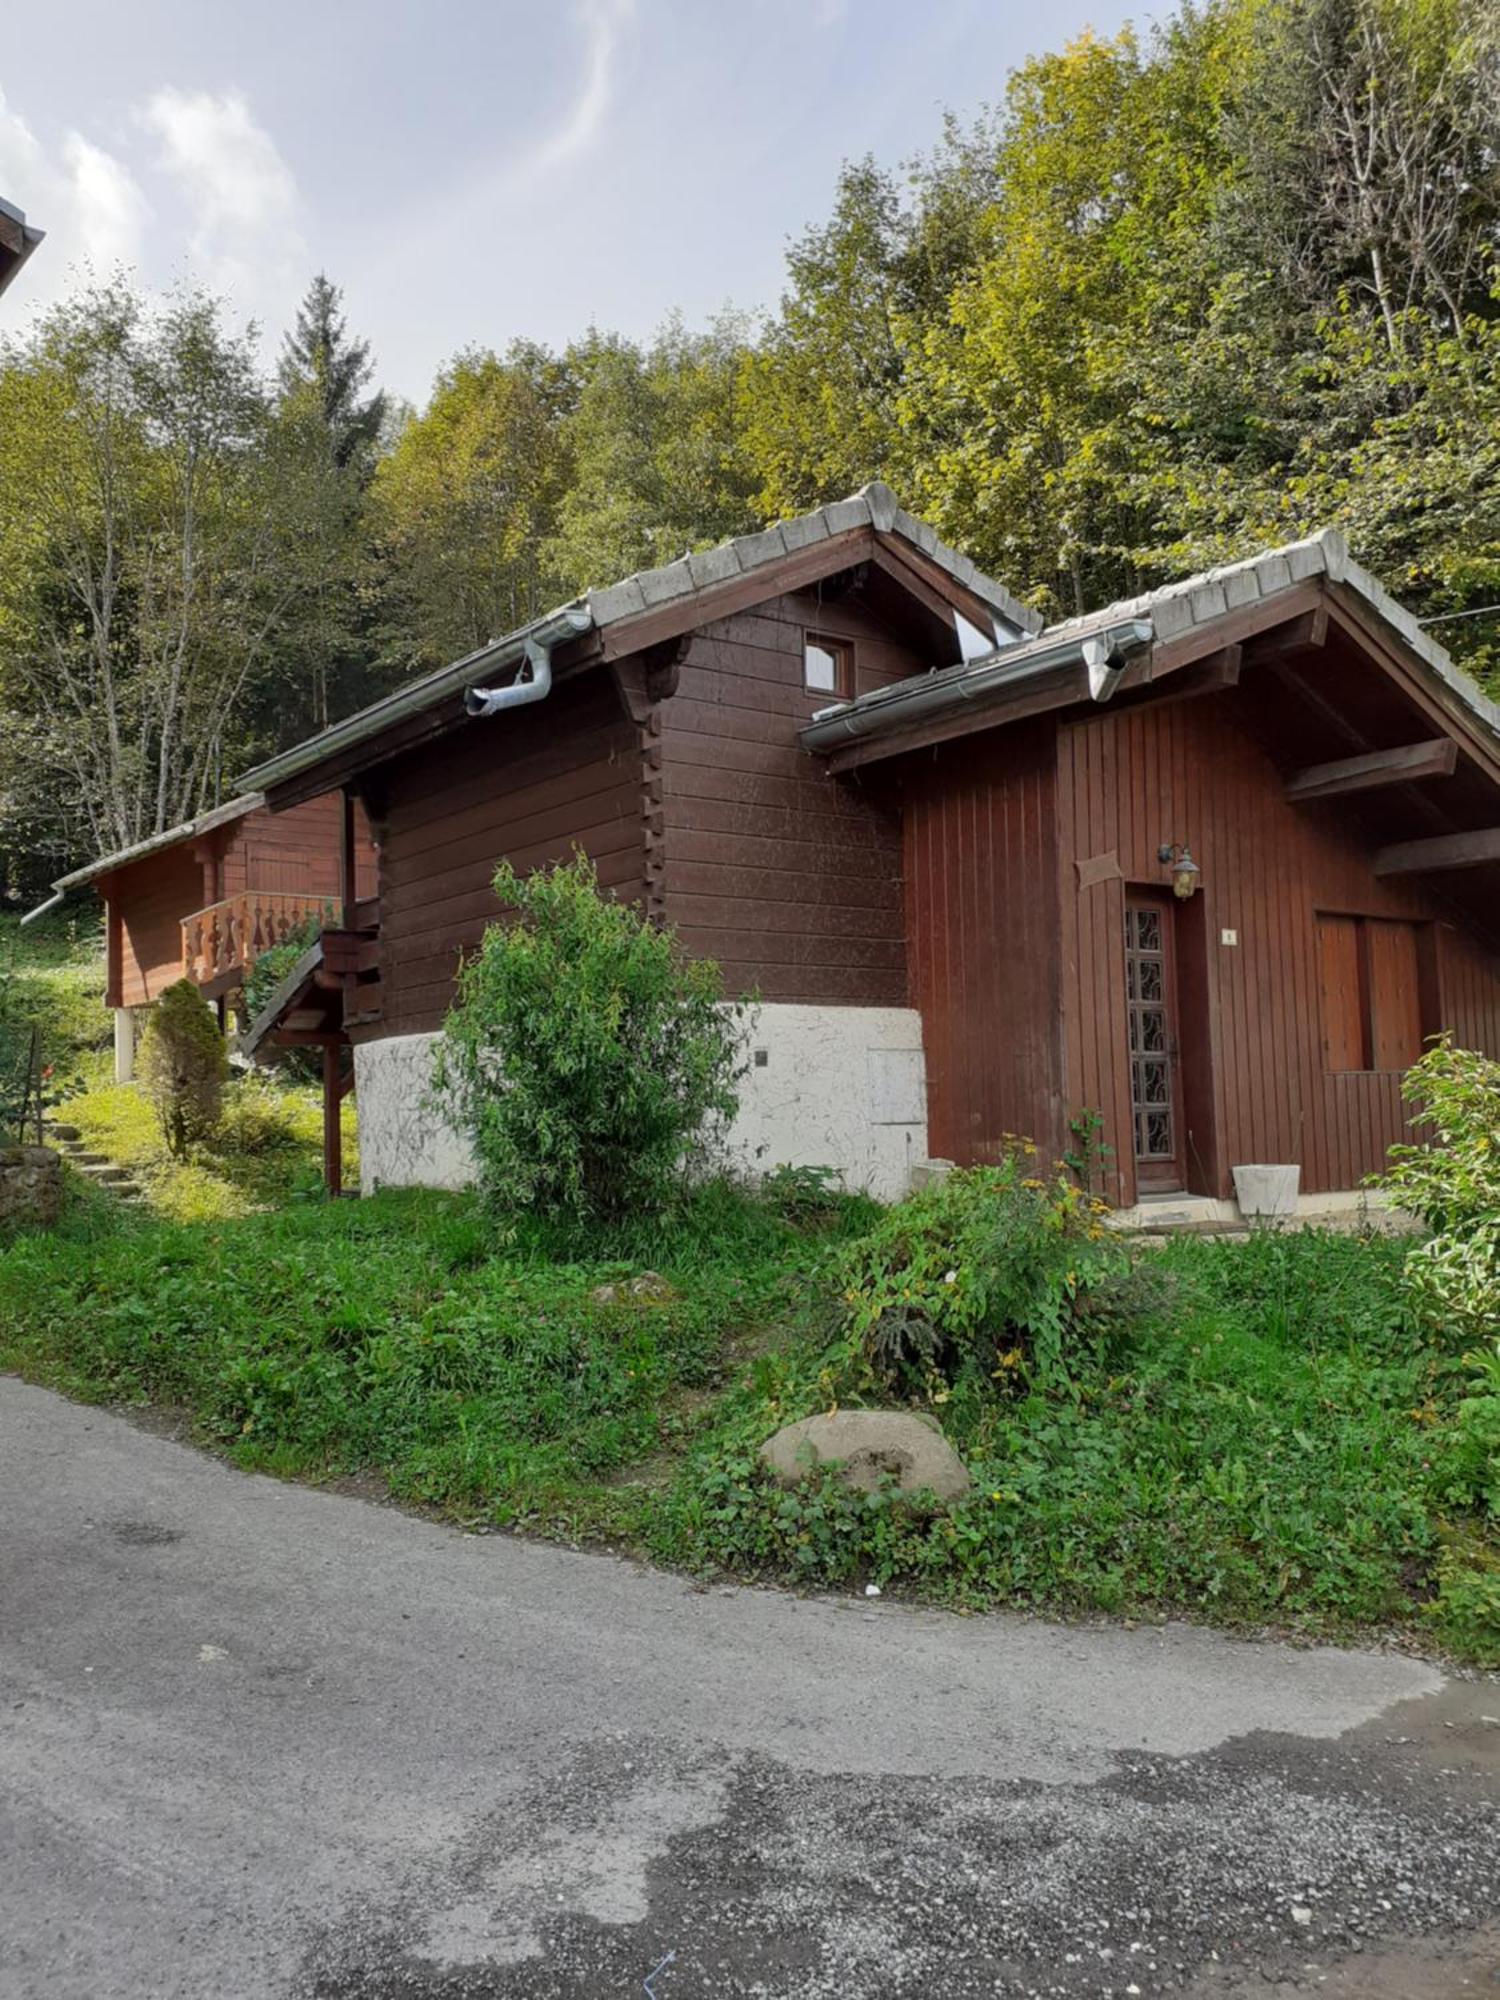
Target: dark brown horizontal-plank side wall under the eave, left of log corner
523	787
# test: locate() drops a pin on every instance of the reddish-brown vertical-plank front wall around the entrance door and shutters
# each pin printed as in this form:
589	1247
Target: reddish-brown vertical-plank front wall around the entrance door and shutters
1265	1023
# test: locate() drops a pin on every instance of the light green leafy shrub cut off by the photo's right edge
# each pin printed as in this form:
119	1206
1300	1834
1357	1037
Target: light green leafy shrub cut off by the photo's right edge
1455	1187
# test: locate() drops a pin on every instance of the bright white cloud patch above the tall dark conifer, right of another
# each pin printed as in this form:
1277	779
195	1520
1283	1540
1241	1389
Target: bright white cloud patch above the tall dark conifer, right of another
239	191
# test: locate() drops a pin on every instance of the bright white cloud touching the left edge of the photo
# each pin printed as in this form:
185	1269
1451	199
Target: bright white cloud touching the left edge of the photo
87	201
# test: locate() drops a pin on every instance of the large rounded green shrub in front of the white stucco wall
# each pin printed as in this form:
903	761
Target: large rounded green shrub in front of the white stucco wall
585	1053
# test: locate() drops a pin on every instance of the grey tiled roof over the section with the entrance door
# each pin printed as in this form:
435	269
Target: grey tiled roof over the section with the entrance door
1167	615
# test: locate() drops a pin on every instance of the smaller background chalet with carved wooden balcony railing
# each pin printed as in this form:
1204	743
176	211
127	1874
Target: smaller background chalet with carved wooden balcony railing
205	899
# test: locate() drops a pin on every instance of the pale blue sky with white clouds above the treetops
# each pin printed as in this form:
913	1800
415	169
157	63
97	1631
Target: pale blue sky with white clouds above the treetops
475	173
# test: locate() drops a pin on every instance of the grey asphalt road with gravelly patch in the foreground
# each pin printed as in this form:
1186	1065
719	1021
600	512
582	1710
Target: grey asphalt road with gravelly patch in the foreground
259	1741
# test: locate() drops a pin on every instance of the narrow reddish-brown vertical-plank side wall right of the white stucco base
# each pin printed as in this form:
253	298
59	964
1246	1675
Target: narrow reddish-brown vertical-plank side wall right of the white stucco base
983	923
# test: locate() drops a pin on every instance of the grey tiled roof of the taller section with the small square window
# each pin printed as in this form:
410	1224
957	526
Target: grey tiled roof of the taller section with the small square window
675	583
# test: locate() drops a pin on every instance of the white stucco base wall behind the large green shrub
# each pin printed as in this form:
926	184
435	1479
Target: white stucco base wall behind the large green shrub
827	1087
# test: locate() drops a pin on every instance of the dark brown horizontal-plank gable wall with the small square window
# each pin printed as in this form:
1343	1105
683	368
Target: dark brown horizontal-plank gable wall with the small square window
787	877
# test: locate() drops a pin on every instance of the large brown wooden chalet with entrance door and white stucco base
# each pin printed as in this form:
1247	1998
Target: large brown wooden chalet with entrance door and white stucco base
1211	865
